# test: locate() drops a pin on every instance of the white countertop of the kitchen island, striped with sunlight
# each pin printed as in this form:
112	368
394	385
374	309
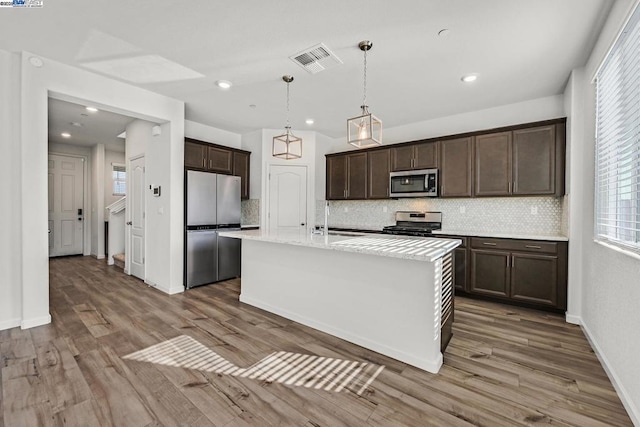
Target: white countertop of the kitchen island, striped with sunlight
405	247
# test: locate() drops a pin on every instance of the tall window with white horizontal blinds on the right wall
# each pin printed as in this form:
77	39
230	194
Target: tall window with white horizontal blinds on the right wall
618	142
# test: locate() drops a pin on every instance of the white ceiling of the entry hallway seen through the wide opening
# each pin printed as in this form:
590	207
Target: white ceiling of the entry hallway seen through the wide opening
101	127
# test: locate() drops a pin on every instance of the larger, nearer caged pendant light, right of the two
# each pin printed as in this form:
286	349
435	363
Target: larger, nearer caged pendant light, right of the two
366	129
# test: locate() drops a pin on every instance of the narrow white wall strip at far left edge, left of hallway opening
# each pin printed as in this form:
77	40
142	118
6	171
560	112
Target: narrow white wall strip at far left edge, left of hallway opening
10	213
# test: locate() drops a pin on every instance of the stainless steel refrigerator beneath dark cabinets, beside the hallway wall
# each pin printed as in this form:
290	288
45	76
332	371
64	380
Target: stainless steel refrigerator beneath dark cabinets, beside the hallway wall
212	204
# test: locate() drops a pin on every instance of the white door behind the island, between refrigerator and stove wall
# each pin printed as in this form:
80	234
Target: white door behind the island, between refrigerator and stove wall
287	197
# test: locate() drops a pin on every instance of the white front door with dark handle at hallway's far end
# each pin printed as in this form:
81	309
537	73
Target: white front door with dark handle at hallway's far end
66	219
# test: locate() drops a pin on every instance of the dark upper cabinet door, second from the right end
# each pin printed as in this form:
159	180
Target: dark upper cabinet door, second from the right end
493	164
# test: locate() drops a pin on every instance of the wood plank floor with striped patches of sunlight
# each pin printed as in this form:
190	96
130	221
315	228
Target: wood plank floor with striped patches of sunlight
504	366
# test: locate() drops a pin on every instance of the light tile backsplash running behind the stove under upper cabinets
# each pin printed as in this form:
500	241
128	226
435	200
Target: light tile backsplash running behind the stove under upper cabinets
522	215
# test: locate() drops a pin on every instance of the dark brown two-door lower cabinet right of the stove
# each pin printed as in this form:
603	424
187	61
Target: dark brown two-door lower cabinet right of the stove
525	272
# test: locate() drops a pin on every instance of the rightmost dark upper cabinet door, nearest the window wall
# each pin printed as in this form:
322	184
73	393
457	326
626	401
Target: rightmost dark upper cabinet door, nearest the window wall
534	160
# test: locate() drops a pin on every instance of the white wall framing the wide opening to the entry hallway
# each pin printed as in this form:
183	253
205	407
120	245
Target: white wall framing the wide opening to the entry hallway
33	86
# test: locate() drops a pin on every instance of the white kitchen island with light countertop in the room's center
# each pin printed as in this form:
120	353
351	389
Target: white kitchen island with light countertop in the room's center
390	294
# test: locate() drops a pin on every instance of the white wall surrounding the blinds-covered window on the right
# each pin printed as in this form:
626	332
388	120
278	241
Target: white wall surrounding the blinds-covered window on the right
606	280
